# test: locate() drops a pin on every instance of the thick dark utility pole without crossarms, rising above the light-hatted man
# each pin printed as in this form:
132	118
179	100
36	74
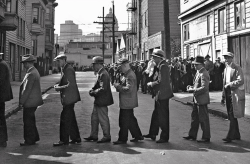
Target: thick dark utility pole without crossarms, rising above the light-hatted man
167	47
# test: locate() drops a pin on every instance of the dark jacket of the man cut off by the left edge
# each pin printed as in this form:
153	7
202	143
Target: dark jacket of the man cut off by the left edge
5	87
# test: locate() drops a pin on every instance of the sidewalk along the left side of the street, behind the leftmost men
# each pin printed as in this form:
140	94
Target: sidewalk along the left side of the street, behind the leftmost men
46	83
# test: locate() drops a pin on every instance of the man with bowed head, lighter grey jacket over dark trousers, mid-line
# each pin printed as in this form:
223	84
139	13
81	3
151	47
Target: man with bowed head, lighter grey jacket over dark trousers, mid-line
128	100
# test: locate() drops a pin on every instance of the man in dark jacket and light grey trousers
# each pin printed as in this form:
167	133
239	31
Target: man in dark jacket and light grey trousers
103	98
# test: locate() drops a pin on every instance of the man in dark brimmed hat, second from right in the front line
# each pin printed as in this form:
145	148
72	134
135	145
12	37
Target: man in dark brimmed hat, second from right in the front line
200	90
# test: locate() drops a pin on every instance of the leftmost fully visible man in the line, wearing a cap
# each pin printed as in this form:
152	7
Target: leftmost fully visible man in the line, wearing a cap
30	97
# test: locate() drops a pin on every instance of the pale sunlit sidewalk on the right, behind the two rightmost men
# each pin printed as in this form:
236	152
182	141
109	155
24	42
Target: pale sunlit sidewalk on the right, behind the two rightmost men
214	106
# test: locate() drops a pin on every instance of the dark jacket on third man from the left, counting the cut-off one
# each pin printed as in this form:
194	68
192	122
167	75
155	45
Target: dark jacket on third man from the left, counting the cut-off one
69	95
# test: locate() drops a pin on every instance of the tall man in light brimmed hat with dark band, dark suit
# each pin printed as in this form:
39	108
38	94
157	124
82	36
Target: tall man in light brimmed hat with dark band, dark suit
163	92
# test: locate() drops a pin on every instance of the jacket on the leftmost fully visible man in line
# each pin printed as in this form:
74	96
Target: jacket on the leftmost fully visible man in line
30	94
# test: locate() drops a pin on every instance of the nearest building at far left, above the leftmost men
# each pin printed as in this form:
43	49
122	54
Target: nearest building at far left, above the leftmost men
17	40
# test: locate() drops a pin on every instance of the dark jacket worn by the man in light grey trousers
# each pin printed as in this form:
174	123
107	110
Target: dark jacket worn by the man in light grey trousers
101	90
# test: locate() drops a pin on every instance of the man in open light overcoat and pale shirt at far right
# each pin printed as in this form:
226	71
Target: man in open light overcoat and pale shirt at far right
233	95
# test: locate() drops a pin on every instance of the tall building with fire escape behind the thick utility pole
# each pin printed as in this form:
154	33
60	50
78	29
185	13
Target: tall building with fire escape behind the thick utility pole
147	28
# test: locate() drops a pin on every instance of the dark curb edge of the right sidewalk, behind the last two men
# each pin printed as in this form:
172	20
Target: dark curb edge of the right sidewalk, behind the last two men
216	112
